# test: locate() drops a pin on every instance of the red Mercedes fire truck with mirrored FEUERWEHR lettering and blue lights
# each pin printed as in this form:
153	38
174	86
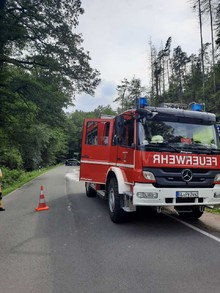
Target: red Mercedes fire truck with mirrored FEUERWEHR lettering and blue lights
153	156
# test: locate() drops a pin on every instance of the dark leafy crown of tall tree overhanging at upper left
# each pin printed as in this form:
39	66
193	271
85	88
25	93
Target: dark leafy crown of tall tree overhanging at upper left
41	34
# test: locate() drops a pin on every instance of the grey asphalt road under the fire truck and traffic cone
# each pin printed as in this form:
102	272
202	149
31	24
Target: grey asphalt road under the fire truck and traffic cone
74	247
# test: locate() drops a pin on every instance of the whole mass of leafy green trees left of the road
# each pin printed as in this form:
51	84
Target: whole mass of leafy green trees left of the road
42	67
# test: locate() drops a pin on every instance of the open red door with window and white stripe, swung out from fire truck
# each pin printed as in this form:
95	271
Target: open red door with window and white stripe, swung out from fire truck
95	152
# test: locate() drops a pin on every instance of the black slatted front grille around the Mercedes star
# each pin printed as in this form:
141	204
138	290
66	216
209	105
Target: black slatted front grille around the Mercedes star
172	178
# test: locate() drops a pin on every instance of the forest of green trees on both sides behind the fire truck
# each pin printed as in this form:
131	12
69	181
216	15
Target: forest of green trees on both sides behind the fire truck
43	65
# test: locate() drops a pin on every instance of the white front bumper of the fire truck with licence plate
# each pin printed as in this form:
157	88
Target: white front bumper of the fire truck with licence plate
148	195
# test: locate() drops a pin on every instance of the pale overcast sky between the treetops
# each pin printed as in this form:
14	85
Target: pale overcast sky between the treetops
117	35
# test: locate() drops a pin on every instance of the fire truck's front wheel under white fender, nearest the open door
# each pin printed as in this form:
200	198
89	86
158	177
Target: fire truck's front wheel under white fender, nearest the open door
117	214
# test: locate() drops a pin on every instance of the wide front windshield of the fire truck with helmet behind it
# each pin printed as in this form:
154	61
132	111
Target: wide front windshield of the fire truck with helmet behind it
157	133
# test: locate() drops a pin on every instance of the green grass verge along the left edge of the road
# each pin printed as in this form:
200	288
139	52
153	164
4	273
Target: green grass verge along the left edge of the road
13	179
